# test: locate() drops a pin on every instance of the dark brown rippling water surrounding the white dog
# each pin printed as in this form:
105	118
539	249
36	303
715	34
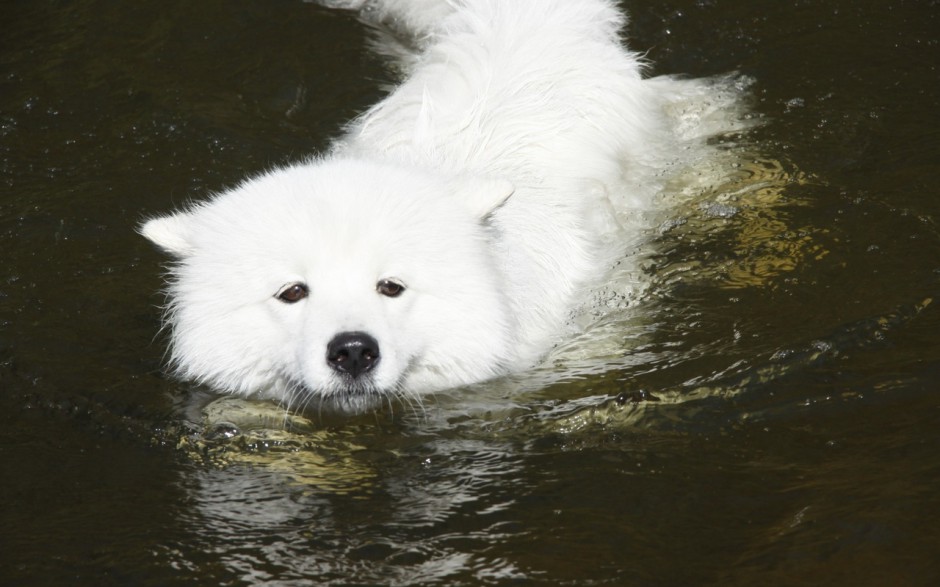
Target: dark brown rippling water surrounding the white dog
794	348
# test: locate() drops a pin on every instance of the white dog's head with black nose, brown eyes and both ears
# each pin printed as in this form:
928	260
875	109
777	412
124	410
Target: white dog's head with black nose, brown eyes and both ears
337	283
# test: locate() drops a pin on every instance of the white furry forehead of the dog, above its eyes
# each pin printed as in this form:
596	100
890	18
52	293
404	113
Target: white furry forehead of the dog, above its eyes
344	232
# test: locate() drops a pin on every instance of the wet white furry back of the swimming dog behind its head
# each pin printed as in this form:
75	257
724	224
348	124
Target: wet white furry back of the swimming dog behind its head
541	93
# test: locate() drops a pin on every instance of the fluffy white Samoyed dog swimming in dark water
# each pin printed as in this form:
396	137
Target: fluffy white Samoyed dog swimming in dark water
449	233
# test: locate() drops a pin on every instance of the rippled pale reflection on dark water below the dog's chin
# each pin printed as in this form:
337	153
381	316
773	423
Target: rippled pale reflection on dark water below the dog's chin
428	512
